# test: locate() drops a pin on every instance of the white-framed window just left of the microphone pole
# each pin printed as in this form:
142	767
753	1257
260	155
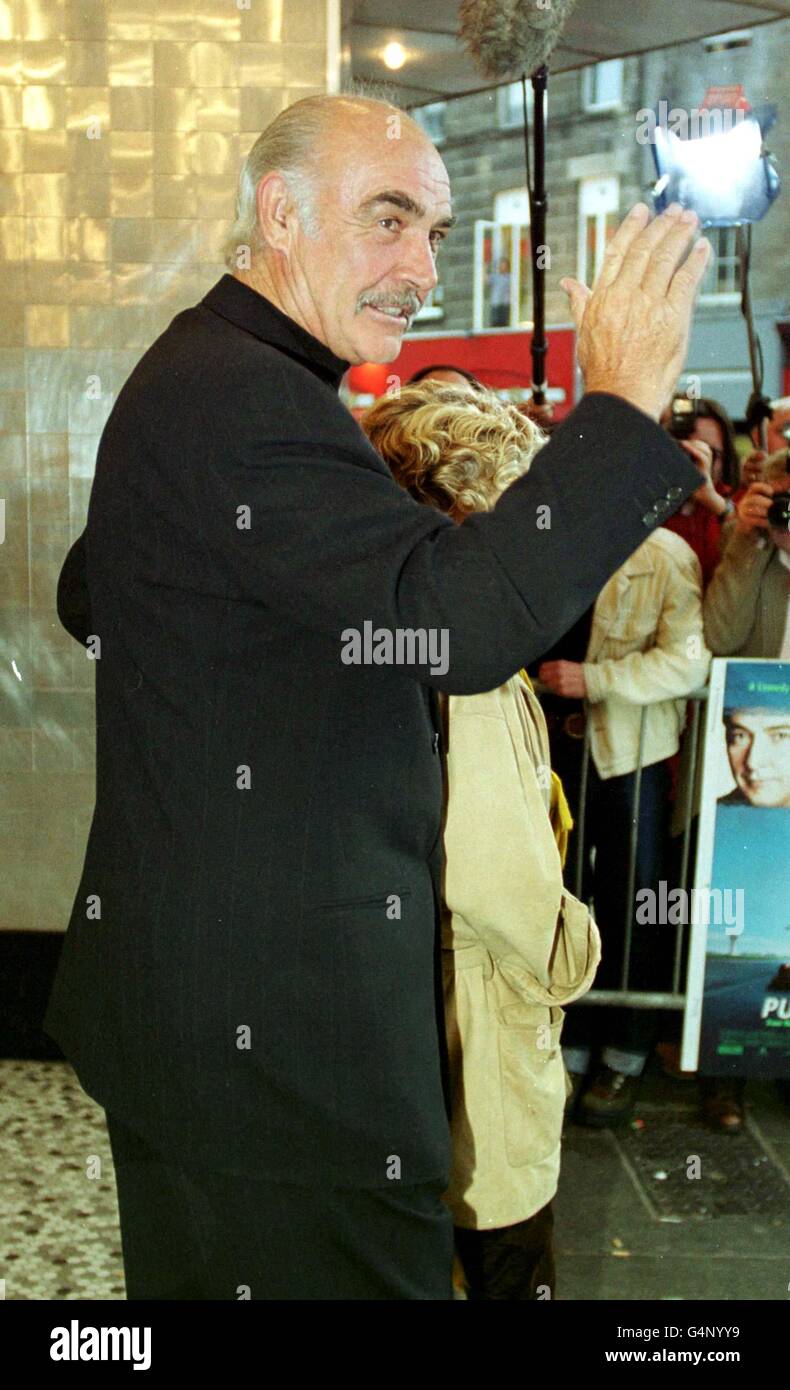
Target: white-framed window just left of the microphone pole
503	263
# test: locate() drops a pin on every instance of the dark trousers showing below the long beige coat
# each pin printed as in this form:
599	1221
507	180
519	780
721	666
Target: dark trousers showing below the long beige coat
514	1263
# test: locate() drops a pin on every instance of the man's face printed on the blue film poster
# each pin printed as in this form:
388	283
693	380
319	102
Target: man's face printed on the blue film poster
759	747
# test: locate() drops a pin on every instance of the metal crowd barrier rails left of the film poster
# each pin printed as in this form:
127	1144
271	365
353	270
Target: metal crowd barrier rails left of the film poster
692	742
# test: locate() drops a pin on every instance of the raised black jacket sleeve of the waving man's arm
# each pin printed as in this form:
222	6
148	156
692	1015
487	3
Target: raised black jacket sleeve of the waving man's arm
312	523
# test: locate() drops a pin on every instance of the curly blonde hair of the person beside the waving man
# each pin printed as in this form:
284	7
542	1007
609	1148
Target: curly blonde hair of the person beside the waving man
453	447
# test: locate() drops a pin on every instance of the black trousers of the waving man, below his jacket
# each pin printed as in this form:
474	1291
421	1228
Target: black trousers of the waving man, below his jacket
191	1234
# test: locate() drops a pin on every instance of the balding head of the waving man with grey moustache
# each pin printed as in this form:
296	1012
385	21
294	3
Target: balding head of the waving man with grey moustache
344	202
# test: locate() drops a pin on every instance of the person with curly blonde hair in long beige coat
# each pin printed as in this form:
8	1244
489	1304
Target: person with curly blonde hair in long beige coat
515	945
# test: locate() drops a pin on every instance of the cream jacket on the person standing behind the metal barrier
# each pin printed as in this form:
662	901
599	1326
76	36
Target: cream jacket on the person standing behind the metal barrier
647	651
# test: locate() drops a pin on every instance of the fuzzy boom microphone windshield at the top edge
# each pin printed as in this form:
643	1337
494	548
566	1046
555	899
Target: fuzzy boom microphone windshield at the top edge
511	37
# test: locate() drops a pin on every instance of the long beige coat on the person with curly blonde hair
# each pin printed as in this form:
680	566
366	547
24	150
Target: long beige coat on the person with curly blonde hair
517	947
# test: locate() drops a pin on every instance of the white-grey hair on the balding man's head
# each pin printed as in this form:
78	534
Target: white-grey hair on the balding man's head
291	145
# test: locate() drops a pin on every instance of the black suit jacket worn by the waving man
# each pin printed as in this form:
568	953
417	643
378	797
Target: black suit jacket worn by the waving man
250	976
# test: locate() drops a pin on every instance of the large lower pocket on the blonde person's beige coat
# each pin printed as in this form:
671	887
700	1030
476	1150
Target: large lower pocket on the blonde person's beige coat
533	1082
